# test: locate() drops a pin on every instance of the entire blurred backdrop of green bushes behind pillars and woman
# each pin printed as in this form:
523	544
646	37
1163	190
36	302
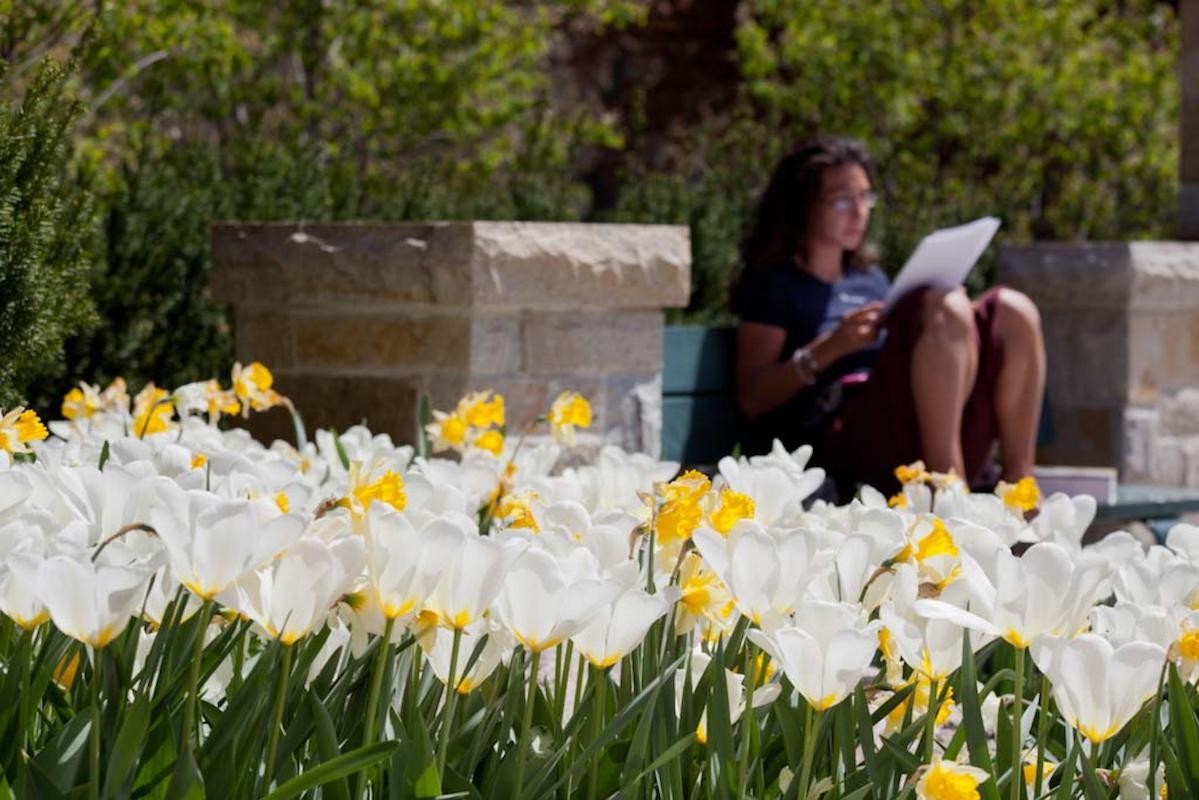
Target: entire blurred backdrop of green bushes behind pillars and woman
126	128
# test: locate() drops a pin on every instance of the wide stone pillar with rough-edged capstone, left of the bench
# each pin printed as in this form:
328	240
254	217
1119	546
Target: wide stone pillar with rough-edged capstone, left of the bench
358	321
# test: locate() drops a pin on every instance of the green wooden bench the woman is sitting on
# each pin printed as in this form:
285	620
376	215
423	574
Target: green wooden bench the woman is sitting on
700	423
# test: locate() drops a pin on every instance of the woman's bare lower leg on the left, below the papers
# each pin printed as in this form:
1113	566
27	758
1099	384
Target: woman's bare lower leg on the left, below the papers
944	368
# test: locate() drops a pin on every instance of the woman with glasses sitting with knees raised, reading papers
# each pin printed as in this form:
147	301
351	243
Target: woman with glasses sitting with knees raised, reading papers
939	378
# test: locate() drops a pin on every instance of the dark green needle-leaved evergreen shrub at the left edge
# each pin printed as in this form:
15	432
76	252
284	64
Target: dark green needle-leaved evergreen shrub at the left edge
46	231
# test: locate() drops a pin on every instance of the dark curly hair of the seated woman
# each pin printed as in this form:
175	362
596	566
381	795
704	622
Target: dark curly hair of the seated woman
781	224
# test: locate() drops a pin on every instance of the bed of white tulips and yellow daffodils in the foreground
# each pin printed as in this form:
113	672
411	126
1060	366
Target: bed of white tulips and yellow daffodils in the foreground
189	612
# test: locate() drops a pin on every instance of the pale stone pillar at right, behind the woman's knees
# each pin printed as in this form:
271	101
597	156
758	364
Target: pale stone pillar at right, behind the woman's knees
1122	327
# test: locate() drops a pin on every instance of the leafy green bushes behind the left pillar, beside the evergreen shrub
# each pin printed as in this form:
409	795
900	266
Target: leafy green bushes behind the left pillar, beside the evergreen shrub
315	111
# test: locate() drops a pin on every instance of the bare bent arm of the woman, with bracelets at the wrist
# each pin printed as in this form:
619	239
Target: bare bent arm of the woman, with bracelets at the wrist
766	383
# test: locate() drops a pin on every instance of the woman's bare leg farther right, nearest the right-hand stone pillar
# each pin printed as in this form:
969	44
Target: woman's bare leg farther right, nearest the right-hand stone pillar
1021	384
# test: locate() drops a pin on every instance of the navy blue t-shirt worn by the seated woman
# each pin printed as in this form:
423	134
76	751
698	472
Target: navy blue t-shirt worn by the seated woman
805	308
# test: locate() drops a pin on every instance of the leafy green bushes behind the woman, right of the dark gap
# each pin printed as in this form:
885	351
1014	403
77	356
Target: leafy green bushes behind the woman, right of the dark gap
1061	118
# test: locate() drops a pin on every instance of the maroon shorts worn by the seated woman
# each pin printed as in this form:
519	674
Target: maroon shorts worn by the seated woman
877	429
